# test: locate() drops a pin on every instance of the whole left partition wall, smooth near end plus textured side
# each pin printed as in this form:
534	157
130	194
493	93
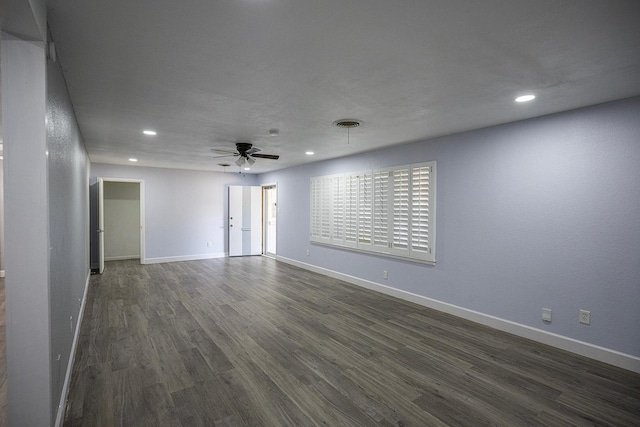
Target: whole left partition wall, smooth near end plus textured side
46	217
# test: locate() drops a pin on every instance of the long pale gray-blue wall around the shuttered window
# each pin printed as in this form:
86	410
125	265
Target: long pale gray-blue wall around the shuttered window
533	214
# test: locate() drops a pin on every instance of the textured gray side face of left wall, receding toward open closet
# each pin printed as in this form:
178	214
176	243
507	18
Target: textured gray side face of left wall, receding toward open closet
68	167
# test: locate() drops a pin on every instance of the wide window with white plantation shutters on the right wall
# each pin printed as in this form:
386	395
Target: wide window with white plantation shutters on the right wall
388	211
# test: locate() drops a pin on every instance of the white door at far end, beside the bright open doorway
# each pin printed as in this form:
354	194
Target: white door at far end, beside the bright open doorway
245	220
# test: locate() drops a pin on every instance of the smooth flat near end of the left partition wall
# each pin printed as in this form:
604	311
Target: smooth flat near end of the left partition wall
26	232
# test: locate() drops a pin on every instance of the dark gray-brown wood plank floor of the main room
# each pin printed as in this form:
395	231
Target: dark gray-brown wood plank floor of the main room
250	341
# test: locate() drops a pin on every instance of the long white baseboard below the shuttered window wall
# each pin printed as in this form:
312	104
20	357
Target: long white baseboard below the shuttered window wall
602	354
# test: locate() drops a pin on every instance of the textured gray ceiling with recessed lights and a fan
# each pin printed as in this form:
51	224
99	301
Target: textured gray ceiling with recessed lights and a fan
206	73
